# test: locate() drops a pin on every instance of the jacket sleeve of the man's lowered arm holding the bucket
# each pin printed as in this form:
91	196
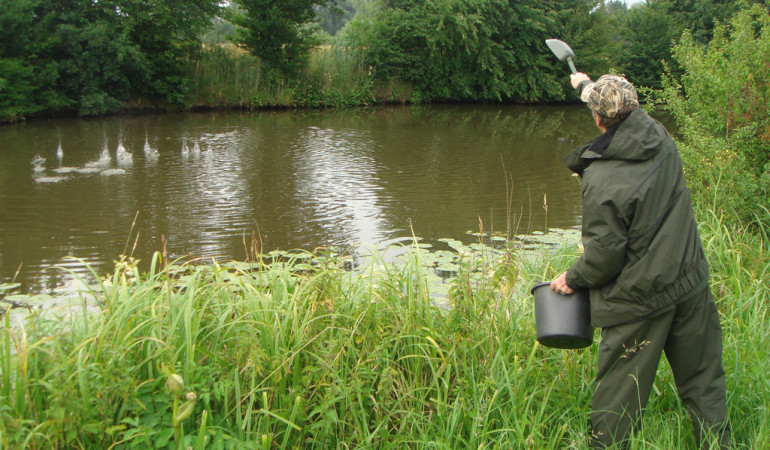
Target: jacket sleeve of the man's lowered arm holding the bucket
604	238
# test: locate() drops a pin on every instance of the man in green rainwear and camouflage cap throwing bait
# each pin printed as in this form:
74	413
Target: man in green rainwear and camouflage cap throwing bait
644	264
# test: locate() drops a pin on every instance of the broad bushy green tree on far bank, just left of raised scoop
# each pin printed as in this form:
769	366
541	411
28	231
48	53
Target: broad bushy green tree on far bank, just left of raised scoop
454	50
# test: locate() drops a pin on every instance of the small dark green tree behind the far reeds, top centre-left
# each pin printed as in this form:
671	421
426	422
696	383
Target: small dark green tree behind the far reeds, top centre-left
276	31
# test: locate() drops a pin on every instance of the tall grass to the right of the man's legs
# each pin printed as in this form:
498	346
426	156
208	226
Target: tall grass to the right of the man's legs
740	269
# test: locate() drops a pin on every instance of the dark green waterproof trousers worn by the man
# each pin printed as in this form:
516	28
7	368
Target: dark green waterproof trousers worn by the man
691	337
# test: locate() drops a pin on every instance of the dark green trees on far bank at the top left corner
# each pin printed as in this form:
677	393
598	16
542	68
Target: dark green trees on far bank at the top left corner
92	57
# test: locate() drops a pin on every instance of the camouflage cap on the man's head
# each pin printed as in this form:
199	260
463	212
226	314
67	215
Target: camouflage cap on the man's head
610	96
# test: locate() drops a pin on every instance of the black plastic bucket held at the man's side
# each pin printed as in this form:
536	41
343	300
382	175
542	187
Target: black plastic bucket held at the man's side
562	321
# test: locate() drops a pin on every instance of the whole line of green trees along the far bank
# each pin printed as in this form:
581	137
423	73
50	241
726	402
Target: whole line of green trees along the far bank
90	57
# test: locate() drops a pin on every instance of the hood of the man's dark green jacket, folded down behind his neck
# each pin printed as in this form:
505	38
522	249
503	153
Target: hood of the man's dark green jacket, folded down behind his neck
638	138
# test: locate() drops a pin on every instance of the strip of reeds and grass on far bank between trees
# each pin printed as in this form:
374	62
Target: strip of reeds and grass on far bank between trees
226	76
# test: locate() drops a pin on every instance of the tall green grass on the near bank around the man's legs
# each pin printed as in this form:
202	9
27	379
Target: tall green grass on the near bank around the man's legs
302	353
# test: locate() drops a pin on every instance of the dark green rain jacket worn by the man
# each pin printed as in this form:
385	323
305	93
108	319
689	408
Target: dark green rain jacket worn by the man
642	252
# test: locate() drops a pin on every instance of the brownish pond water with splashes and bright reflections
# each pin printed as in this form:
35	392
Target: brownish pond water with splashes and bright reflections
208	183
